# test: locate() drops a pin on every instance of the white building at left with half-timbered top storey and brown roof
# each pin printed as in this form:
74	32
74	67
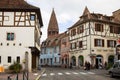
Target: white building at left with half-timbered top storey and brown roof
20	33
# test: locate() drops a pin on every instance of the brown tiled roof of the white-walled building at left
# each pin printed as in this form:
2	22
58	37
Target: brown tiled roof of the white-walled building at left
19	5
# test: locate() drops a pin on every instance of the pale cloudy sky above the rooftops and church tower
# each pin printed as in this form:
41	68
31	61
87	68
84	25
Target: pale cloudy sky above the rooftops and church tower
69	11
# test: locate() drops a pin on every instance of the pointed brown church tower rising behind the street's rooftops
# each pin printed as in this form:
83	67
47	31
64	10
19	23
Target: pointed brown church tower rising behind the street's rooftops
53	29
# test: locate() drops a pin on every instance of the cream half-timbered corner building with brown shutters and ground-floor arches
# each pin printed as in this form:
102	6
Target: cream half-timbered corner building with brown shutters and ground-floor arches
93	38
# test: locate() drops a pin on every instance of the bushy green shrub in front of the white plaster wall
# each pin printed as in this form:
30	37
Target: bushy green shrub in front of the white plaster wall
15	67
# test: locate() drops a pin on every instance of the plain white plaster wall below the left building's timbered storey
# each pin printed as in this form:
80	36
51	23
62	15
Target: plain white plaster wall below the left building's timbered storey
23	36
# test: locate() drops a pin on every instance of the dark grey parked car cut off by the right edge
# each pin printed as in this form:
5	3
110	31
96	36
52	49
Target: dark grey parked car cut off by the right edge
115	70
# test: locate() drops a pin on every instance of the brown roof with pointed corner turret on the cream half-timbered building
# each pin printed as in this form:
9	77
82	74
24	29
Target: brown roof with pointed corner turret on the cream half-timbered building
87	16
